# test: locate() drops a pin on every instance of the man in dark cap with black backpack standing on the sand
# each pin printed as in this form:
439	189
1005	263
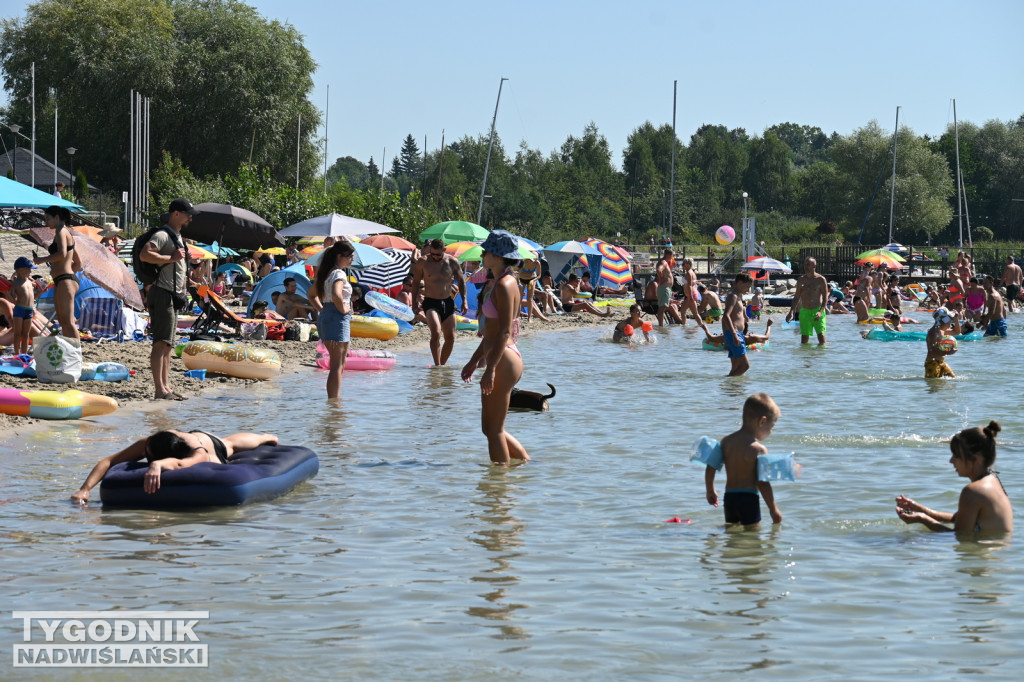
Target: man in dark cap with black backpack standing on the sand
165	250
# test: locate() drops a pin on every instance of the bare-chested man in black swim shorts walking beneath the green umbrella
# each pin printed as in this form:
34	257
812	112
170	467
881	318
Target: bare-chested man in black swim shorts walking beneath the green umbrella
435	273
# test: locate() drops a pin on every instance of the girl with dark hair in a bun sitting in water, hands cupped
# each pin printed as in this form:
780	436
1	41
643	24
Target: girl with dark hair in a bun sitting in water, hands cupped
985	506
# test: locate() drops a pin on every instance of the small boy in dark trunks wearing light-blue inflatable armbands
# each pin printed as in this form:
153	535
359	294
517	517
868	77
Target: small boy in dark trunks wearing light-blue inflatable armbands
740	452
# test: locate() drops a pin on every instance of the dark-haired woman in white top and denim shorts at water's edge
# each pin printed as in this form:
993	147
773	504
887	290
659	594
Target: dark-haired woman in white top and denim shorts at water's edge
333	289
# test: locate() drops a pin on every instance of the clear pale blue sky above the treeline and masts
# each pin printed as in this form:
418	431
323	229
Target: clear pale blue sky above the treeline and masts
403	68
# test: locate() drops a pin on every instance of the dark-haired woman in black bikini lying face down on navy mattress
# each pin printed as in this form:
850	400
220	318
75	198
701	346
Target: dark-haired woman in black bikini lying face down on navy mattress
174	450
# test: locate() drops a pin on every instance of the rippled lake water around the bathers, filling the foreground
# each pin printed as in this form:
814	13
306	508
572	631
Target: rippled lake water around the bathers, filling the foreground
409	557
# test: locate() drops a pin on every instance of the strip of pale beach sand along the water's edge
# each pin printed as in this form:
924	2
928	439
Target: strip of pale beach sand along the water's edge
138	393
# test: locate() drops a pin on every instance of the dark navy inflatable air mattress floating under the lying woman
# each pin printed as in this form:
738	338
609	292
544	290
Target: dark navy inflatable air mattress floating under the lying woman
254	476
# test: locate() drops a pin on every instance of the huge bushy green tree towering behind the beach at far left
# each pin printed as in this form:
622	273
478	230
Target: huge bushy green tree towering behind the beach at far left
226	84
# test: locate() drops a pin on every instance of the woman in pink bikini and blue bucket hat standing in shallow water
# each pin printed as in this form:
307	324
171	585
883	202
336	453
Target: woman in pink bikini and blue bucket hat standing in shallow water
497	354
